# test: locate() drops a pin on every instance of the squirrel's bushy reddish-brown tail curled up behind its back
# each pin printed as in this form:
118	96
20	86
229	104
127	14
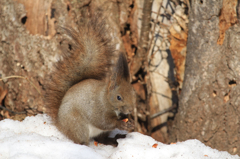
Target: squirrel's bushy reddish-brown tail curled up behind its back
88	56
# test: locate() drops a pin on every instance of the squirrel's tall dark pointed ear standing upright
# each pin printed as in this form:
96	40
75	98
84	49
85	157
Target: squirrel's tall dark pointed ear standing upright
120	72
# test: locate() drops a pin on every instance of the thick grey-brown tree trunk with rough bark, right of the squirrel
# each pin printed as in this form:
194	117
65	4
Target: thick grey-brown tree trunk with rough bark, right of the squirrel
209	102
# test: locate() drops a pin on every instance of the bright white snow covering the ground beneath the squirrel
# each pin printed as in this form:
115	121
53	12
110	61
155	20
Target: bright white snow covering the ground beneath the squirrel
37	138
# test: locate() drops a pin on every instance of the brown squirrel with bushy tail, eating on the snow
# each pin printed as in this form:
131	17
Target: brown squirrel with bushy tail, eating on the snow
87	92
